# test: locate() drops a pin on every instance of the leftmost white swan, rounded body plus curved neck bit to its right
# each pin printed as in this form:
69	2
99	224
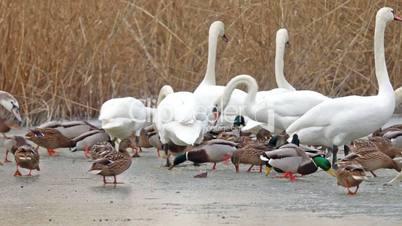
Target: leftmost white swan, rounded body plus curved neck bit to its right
123	117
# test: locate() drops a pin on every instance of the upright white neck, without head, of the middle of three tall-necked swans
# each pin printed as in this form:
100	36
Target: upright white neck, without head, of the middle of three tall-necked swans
279	65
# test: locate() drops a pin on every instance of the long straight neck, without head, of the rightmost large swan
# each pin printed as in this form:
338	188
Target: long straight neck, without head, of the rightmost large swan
384	85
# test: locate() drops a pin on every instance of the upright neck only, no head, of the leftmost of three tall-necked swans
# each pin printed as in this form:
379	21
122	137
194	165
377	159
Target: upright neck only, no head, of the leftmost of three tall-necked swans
209	78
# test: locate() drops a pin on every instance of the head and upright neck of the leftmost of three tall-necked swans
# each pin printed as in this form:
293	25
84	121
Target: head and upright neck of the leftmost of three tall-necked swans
216	29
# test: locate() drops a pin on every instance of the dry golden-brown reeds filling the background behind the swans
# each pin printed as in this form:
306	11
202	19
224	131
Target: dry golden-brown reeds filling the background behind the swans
62	59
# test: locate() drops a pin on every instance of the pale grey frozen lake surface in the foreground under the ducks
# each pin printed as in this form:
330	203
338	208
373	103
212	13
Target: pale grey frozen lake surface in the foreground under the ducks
64	193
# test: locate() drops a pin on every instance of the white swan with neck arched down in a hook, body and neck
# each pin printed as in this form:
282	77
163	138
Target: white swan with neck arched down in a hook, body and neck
278	110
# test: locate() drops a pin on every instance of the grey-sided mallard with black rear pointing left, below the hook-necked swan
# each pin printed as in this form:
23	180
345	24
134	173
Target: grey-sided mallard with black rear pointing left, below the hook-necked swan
213	151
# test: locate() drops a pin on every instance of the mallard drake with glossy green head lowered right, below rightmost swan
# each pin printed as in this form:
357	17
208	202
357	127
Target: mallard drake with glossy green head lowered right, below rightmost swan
290	159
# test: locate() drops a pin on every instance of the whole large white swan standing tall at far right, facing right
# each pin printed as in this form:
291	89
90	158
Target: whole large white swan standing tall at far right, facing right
341	120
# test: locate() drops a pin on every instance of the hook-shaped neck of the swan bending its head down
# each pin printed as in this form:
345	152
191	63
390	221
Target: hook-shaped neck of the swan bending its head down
252	88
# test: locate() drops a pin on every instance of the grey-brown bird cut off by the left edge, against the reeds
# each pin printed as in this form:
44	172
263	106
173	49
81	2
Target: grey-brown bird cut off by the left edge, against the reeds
9	112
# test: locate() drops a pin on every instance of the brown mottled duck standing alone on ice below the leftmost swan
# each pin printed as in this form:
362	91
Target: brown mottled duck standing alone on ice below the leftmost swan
113	163
